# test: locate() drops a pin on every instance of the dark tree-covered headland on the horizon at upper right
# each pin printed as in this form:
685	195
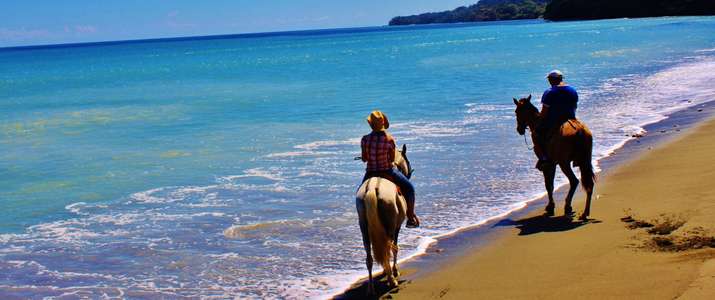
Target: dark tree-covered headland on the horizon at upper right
557	10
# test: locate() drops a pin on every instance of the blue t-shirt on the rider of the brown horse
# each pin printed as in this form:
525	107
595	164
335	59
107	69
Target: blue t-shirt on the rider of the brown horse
562	102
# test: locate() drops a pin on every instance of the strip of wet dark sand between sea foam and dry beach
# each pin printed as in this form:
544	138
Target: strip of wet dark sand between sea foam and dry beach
456	244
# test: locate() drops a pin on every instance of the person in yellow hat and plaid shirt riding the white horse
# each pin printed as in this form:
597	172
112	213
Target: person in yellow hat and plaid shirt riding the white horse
378	150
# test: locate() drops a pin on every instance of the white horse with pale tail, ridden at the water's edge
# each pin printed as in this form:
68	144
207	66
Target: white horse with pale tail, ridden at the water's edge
382	210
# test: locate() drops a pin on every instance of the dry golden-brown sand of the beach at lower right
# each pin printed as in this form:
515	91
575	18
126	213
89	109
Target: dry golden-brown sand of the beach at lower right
554	258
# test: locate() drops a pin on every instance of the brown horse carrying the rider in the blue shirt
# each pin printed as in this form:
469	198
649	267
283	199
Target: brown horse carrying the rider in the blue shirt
572	143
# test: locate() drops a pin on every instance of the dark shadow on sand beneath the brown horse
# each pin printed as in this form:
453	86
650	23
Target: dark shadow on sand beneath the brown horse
544	223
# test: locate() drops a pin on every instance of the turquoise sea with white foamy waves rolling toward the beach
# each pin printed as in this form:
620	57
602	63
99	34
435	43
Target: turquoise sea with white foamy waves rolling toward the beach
223	167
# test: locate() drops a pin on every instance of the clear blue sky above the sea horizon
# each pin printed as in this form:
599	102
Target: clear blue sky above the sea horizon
39	22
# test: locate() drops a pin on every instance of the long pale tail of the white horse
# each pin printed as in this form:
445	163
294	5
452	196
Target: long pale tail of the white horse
382	244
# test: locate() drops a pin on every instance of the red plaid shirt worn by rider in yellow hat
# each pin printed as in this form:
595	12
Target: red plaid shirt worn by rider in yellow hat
378	149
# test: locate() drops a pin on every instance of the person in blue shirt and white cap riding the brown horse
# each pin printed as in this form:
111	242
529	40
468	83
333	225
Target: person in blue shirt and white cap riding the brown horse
559	104
